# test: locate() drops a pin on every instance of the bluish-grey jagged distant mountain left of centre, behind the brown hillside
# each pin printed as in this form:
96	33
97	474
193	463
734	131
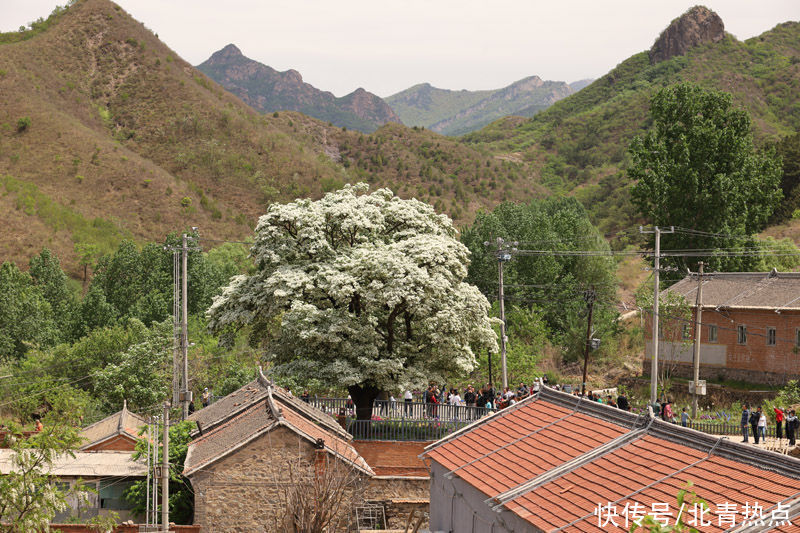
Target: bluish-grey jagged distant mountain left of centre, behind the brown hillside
267	90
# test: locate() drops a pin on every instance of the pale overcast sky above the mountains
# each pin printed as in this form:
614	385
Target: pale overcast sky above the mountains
386	47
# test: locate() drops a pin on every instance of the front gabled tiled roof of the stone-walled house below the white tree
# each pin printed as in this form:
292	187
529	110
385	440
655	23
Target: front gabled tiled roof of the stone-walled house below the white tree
256	418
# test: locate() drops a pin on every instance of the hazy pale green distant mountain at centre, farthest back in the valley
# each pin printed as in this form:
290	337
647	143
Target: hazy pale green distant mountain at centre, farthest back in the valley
458	112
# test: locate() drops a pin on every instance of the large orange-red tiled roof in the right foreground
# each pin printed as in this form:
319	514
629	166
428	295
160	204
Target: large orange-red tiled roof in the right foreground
552	459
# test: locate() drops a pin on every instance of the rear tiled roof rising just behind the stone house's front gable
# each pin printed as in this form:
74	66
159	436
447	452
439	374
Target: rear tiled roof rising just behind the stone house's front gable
234	403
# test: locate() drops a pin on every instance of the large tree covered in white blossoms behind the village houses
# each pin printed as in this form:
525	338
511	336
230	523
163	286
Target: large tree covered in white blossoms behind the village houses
368	290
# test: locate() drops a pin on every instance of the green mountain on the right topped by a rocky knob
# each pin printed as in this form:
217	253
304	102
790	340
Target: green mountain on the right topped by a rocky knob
581	141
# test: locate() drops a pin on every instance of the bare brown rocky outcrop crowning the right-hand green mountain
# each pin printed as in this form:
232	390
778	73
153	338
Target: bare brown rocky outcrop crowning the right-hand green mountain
697	26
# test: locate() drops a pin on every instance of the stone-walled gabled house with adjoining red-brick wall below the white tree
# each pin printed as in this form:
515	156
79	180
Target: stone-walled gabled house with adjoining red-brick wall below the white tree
246	442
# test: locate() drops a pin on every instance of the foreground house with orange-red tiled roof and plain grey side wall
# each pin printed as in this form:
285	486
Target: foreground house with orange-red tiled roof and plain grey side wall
557	462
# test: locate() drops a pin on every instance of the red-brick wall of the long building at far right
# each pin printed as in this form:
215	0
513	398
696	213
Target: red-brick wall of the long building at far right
755	360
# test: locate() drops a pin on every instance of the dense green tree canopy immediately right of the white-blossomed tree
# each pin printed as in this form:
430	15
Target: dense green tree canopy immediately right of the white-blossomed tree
551	283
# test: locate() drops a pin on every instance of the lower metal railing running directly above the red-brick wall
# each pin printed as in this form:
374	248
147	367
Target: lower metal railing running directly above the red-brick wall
404	429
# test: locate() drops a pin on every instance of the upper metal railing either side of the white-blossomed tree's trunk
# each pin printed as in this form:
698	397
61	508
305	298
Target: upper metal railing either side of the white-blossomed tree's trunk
401	409
